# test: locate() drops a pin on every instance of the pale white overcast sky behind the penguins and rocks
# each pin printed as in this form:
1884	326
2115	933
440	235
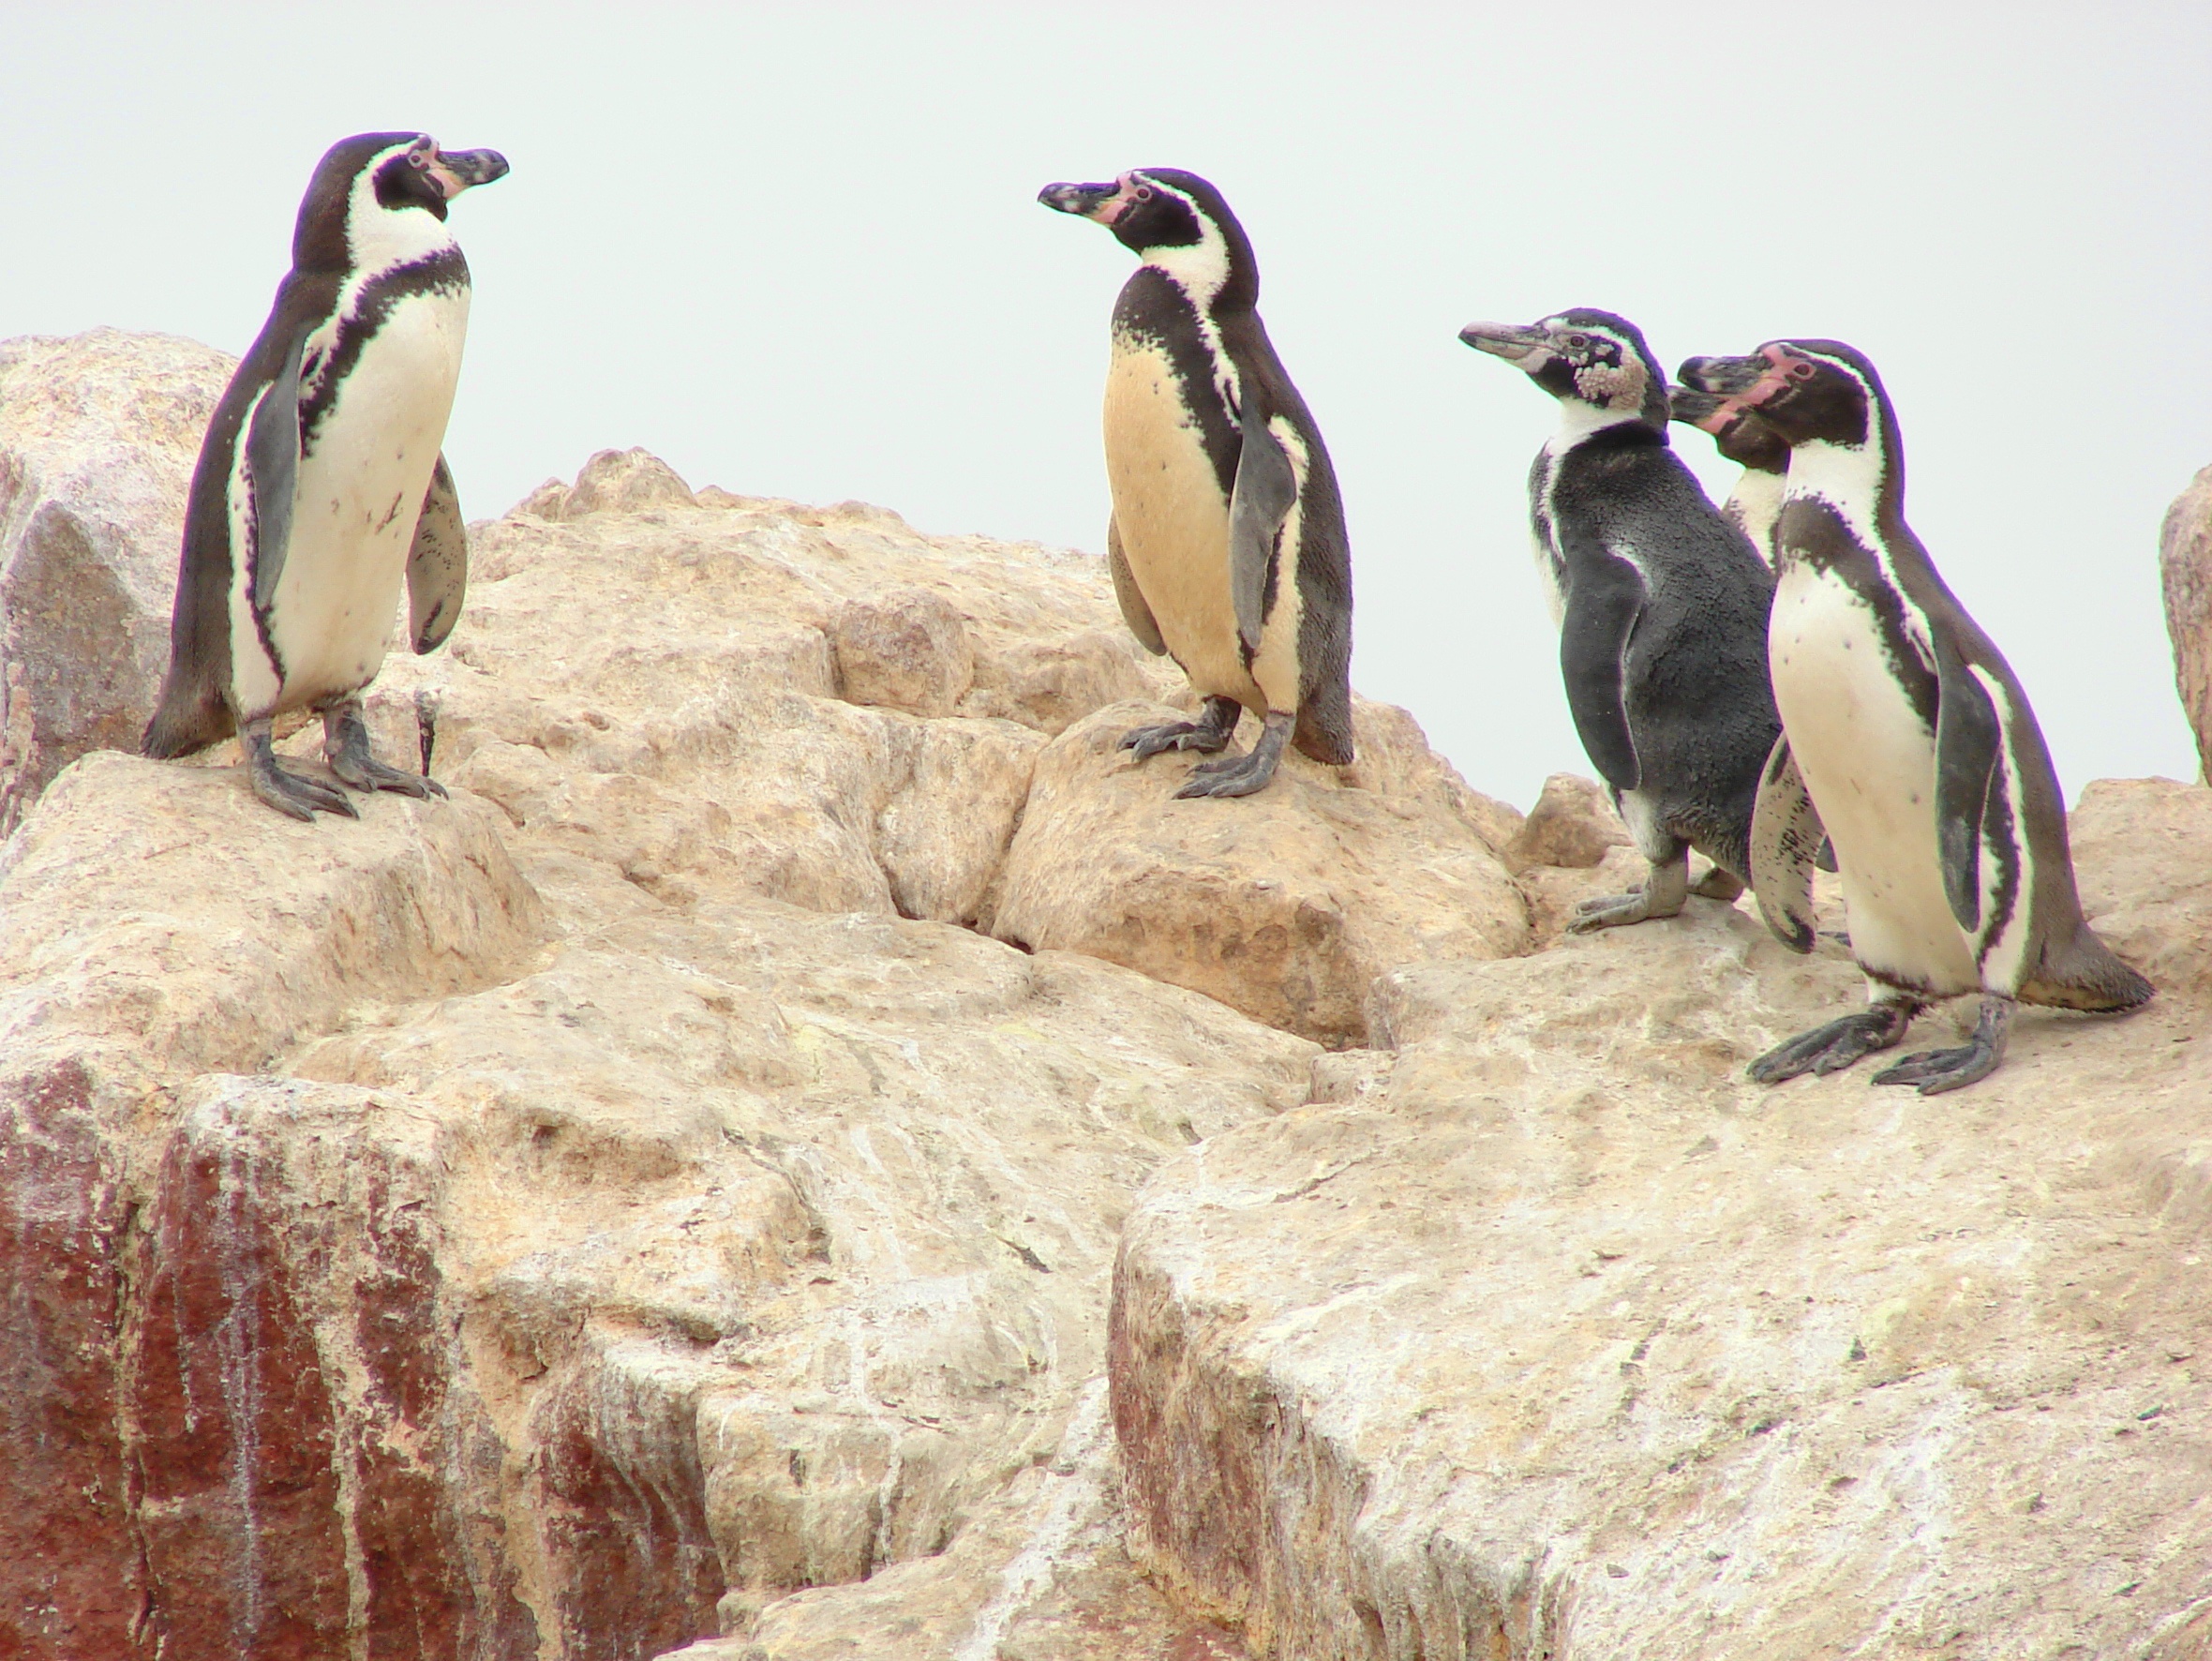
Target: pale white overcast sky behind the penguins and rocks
797	253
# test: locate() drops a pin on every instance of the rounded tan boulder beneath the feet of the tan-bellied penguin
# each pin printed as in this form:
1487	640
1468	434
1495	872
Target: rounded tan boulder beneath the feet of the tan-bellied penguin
1286	903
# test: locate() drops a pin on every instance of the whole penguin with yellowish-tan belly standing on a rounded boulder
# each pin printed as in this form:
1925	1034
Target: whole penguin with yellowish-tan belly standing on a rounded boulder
1229	536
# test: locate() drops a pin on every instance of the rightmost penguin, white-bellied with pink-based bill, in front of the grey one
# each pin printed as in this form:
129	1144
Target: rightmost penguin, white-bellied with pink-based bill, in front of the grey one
1914	740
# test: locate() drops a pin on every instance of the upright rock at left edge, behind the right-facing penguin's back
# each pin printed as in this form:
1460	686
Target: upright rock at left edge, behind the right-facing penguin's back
98	439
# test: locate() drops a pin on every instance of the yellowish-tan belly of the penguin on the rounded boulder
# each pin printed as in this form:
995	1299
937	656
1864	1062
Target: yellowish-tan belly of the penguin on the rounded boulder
1176	521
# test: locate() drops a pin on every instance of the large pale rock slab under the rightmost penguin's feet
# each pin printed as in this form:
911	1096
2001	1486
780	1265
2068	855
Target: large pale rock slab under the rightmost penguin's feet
1567	1339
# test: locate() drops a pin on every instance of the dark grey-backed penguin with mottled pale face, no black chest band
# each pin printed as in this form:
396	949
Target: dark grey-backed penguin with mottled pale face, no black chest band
1662	609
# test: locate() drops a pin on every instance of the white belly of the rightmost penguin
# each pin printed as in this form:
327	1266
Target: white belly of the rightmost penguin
1870	766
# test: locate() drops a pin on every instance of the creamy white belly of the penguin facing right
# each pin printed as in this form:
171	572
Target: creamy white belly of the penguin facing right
355	512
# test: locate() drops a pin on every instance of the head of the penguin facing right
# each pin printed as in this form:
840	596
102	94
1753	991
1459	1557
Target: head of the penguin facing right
379	198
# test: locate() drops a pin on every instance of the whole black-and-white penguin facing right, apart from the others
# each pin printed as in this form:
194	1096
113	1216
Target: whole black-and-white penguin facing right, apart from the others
320	483
